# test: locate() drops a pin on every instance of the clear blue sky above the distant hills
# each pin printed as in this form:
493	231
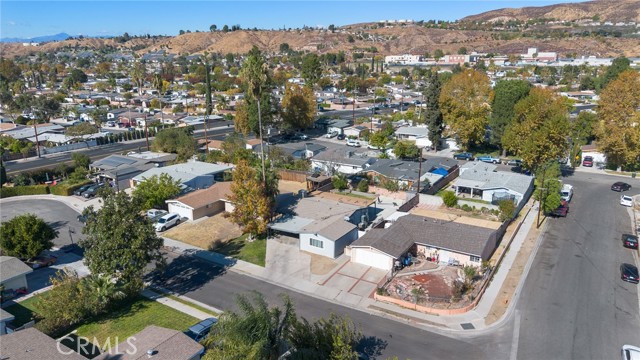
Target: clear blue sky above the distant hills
26	18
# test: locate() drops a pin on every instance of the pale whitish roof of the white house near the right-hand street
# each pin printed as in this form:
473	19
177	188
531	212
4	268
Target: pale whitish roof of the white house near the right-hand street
485	180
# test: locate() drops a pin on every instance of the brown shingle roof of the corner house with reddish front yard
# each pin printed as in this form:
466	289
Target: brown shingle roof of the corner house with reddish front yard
411	229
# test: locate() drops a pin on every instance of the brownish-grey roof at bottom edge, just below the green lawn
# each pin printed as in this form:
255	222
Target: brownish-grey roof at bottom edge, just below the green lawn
165	344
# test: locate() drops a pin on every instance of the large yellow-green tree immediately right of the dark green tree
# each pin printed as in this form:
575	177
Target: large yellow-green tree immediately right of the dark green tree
540	130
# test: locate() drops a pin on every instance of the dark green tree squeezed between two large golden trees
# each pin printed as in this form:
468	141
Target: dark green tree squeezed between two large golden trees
507	94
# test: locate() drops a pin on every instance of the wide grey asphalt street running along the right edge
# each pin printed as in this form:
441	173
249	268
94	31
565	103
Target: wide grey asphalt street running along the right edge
573	304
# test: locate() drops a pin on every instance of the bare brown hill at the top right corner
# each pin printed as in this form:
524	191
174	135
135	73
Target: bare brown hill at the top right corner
606	10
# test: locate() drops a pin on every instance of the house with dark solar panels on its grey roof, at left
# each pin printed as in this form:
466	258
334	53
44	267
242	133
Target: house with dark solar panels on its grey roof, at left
120	169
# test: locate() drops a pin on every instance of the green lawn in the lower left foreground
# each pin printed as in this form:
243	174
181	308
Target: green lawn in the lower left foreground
131	318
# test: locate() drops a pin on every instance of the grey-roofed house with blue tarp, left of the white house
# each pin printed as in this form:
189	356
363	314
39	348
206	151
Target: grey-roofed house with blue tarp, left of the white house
405	173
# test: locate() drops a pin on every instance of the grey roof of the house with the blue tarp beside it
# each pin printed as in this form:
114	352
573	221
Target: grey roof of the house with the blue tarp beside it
408	170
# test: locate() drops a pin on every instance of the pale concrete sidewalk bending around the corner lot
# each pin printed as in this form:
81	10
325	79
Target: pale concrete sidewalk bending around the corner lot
474	319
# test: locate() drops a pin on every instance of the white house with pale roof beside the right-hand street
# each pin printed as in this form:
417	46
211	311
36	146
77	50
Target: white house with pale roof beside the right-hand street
481	181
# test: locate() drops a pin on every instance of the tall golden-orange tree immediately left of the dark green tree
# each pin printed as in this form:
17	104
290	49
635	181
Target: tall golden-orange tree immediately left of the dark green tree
465	104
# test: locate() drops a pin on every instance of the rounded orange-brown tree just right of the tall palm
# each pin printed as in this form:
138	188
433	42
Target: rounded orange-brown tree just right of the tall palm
298	106
